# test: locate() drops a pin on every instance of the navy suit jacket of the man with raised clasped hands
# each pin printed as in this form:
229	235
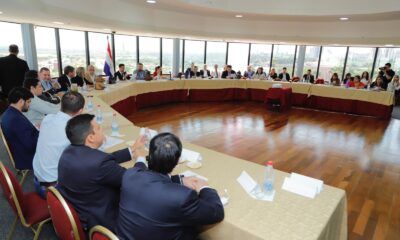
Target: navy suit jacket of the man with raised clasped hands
90	180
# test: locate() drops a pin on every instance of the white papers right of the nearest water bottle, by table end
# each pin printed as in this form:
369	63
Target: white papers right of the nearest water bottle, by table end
303	185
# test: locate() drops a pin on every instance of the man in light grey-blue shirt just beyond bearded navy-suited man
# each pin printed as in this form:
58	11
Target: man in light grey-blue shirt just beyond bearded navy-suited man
38	108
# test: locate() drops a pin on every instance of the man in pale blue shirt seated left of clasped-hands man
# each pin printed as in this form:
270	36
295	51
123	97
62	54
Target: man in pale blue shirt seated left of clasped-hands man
53	140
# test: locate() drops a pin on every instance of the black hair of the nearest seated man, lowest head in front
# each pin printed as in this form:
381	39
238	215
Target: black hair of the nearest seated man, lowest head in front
164	153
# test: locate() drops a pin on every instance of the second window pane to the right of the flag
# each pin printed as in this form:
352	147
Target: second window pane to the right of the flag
149	52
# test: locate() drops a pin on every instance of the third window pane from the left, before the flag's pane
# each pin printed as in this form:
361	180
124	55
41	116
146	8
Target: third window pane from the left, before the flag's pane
72	45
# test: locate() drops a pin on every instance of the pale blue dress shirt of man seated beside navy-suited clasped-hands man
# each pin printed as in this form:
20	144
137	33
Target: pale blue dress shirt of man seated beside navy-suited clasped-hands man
51	143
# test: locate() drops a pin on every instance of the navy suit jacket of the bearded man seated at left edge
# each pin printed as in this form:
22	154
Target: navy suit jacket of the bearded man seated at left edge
21	137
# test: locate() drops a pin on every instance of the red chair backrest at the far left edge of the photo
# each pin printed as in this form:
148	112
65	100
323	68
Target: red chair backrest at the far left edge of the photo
12	191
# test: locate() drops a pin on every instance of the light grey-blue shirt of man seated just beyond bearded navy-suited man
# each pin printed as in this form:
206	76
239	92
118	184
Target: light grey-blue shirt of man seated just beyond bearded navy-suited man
39	108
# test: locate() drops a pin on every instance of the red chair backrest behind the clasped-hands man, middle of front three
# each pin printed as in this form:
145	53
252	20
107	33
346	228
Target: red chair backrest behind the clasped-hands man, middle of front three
65	219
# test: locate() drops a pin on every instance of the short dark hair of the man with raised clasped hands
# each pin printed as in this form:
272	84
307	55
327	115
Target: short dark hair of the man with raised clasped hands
78	128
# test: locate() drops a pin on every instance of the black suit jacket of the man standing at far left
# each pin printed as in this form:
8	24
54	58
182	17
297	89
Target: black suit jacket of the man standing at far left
12	71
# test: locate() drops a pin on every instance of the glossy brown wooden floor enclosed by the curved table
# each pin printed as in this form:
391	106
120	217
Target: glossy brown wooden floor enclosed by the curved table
358	154
